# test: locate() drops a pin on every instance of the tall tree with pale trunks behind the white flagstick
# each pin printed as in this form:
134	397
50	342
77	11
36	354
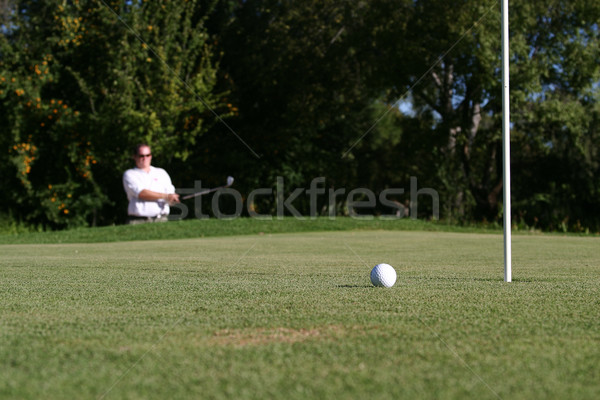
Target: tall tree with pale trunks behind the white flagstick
450	63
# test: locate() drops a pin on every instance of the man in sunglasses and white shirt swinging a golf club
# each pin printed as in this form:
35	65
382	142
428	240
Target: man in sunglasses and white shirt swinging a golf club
149	189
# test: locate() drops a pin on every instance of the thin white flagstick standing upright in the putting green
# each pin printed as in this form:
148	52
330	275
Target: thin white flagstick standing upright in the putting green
506	144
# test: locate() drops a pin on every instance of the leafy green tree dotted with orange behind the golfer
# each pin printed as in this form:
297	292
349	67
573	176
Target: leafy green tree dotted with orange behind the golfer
81	84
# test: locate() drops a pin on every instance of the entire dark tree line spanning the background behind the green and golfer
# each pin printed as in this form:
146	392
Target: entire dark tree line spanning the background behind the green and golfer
363	93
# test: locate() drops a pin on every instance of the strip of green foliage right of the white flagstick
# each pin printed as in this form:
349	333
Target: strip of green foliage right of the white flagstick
556	115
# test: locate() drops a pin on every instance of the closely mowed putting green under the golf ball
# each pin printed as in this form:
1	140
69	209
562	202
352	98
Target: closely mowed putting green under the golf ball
294	316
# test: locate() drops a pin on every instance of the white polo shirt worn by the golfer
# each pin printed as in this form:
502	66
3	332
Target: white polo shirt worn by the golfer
157	180
